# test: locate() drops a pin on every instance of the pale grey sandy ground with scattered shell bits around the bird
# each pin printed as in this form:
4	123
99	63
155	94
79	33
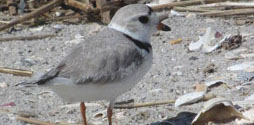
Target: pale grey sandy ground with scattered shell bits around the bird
174	72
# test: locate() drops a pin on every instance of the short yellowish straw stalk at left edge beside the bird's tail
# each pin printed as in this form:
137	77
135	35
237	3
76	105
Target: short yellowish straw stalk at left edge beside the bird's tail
16	72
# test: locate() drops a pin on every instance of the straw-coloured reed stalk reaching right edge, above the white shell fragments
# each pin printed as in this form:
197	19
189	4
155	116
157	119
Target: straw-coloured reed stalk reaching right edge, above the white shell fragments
228	12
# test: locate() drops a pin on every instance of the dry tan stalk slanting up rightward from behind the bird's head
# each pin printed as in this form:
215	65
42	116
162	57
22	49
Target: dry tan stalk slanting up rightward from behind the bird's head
184	3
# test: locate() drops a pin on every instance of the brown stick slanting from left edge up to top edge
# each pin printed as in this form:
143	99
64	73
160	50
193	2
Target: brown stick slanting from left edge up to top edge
33	14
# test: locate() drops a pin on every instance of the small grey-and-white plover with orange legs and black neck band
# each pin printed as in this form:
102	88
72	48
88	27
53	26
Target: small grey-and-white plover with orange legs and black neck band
108	64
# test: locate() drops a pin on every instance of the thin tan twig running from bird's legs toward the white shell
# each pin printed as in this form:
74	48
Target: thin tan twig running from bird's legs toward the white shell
143	104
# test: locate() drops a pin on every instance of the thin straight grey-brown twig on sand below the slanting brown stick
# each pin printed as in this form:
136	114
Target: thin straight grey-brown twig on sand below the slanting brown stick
27	37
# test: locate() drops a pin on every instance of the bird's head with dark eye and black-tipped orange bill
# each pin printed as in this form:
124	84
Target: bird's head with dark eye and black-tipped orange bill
138	21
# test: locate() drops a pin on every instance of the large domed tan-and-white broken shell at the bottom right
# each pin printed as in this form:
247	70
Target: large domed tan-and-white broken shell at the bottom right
217	110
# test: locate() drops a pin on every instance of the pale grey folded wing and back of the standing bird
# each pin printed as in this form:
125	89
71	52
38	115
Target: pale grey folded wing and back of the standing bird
107	56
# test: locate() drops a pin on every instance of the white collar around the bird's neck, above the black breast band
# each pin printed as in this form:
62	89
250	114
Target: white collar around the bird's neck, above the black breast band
138	36
